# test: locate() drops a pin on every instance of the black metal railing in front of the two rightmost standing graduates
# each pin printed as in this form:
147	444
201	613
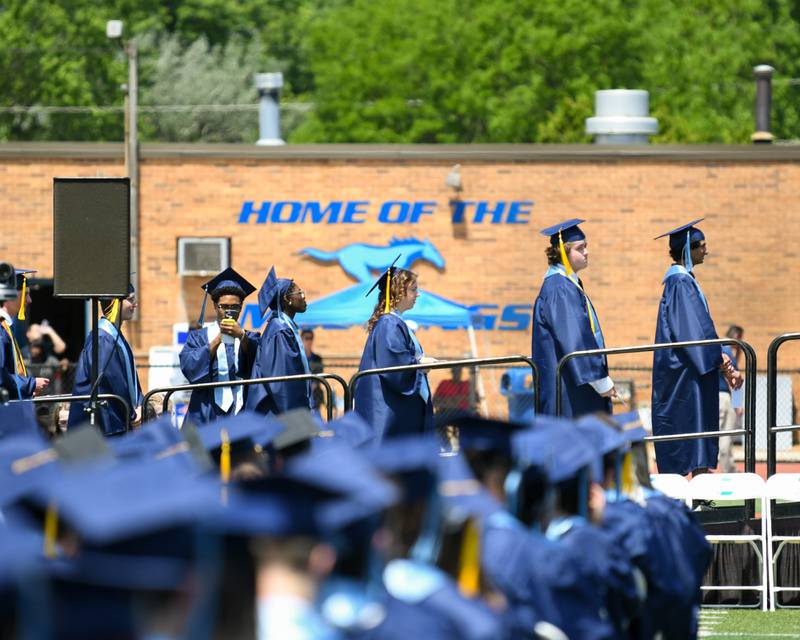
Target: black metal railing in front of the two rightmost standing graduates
749	430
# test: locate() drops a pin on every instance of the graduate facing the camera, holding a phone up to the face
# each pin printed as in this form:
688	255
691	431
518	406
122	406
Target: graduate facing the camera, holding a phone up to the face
219	351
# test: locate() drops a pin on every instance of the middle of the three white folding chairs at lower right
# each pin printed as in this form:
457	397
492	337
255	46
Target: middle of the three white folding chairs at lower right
737	486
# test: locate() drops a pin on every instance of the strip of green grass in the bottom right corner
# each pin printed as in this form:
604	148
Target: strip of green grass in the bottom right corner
737	623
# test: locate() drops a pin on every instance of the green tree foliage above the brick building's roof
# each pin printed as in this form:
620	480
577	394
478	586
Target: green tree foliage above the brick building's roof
402	71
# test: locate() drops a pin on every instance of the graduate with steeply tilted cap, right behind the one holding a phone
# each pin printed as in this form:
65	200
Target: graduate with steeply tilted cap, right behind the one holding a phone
280	350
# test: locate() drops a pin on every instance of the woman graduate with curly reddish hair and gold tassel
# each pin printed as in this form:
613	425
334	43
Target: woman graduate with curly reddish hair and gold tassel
394	403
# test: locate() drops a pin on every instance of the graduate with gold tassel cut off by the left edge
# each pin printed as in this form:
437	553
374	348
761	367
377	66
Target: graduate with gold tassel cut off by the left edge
13	376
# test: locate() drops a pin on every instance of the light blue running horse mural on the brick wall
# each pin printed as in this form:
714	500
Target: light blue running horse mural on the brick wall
360	260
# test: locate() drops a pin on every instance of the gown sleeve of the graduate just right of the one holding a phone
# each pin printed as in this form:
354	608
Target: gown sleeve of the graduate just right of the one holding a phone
281	357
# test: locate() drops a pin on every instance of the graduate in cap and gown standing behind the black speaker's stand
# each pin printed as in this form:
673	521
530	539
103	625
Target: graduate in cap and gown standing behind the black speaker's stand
116	373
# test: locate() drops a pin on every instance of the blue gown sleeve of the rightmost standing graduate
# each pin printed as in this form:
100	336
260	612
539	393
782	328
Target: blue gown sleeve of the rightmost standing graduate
688	319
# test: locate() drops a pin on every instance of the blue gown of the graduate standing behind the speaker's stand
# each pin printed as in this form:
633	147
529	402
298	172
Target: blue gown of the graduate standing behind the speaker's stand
111	419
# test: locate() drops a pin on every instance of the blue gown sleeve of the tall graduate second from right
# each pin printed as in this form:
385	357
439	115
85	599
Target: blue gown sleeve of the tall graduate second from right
566	309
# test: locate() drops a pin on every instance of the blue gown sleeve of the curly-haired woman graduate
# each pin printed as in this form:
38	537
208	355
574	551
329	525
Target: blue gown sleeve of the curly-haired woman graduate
393	347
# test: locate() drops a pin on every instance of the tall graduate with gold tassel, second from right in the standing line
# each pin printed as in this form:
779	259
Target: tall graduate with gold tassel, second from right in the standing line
564	320
